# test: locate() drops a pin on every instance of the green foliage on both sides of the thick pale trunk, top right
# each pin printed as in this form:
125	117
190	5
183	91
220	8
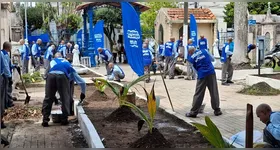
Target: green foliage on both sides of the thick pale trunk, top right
253	8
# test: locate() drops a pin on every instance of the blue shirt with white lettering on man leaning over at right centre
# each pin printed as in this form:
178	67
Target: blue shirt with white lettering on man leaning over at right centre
202	62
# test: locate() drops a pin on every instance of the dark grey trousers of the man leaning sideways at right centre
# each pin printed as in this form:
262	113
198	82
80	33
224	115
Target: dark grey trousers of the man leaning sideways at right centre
210	82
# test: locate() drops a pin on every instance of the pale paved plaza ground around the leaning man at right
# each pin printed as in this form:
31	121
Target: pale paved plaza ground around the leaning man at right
233	104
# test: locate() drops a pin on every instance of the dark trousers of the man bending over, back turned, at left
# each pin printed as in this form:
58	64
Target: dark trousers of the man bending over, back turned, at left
56	83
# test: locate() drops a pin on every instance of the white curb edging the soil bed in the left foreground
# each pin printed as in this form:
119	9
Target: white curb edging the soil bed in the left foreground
88	130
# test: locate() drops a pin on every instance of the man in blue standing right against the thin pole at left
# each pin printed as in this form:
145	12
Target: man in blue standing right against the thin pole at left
24	50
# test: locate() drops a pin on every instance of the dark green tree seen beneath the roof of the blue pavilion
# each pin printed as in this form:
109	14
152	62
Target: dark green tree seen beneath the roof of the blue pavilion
112	19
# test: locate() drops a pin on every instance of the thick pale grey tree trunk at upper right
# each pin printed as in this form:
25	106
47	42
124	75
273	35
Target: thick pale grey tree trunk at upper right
240	33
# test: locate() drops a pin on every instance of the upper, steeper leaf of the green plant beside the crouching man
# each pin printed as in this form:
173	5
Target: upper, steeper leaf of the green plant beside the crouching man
215	132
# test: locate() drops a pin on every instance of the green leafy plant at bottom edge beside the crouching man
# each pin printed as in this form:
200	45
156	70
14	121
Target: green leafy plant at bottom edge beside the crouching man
212	134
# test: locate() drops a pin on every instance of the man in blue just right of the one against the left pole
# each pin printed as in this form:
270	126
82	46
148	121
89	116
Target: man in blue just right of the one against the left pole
36	54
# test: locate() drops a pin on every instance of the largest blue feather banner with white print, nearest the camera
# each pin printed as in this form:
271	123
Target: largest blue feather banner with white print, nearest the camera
132	38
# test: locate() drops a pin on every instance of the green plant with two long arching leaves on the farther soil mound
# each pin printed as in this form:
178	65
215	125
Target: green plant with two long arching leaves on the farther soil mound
123	91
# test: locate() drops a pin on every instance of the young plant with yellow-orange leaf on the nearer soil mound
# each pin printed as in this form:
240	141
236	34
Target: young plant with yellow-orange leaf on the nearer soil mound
152	104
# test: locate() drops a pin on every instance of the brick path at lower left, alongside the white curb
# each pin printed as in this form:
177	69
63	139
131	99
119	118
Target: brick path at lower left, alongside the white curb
30	133
